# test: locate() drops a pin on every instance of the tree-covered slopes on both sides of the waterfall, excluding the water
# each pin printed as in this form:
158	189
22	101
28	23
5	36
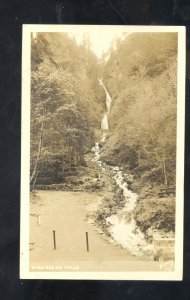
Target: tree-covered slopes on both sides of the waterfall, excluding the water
67	106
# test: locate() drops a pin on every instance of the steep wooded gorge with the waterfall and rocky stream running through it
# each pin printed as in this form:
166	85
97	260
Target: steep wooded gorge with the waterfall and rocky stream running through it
131	111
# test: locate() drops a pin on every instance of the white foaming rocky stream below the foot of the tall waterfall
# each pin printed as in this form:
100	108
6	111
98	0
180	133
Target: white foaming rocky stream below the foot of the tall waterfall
122	226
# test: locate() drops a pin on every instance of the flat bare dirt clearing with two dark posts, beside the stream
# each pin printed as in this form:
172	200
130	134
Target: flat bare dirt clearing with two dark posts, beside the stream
66	213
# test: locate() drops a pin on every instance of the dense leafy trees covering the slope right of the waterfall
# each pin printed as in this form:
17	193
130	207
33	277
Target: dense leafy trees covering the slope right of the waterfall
140	75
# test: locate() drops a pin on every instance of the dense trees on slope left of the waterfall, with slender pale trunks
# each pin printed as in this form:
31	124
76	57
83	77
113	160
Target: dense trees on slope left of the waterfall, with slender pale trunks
66	105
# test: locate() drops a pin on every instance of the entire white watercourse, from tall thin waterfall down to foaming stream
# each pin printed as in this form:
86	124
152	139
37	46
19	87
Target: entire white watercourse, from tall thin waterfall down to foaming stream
122	226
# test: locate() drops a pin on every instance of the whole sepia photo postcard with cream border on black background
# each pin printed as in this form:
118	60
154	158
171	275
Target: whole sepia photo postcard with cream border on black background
102	172
